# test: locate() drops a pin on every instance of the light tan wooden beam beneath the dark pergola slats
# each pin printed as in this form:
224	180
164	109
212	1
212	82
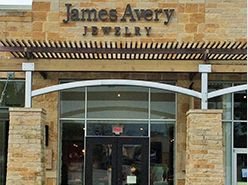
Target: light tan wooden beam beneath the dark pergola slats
47	65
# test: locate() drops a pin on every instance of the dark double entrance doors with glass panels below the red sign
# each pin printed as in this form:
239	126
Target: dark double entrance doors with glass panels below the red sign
116	161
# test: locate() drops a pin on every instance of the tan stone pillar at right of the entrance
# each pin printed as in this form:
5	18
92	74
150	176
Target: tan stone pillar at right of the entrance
204	148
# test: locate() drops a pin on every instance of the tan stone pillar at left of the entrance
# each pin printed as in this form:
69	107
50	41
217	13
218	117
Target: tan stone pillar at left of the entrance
26	159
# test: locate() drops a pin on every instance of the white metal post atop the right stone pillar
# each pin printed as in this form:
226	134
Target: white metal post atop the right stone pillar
204	69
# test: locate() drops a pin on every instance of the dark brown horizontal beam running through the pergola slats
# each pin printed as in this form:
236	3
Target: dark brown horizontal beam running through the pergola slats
124	50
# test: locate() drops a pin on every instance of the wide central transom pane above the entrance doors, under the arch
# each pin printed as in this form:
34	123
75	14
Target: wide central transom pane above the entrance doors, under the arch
117	102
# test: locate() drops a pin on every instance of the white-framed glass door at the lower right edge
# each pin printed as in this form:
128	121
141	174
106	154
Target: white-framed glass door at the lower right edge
240	168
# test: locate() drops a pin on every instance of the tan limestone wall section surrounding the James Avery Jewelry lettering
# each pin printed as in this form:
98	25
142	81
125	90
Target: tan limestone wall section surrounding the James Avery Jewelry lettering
192	20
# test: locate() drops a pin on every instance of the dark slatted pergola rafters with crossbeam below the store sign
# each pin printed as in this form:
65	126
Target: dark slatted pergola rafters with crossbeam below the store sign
133	50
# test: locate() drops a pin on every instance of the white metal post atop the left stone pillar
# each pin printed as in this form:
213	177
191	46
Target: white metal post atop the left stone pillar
28	68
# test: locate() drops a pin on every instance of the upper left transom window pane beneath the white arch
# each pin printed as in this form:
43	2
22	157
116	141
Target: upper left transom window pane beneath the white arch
72	103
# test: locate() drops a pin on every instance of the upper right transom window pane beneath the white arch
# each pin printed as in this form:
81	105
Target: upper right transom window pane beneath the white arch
162	104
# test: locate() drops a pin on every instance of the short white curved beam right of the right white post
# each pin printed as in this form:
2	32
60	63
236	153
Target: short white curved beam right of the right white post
227	91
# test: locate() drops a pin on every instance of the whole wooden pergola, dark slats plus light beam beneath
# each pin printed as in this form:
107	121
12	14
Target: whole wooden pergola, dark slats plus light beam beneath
225	57
